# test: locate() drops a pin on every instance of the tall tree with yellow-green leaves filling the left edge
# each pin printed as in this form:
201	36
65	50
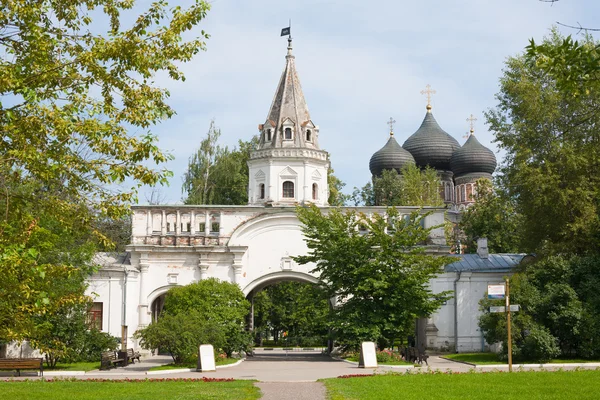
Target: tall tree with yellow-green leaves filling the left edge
74	88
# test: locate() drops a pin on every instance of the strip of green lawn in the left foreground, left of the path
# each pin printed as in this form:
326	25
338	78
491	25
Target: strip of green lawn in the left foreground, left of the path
119	390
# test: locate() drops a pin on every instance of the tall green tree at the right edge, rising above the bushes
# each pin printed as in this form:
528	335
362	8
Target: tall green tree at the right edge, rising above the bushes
551	168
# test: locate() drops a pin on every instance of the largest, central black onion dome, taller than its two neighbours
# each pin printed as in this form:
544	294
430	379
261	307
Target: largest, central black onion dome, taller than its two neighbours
431	145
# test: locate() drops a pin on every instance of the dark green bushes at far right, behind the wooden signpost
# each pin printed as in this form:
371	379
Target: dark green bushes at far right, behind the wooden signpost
558	314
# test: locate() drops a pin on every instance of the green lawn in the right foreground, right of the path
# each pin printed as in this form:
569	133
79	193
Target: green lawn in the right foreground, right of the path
481	386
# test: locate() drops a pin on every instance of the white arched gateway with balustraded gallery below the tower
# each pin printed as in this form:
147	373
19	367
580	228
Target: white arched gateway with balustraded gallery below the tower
248	245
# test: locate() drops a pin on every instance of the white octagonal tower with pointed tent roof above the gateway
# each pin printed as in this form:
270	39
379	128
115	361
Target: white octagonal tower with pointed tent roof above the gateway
288	167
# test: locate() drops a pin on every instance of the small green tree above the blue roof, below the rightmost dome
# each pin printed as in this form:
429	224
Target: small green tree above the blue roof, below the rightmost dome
492	216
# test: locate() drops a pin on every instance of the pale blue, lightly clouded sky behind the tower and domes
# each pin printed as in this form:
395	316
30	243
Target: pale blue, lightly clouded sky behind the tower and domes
359	64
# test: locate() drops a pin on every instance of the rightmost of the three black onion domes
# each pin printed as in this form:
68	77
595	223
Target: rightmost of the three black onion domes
473	157
